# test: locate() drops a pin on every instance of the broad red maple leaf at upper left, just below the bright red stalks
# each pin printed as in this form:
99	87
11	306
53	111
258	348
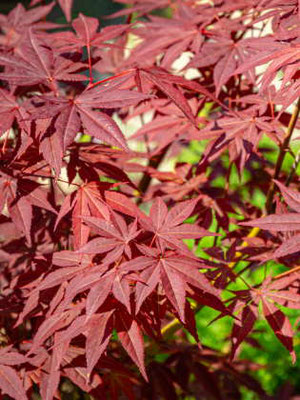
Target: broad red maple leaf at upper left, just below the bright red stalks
69	115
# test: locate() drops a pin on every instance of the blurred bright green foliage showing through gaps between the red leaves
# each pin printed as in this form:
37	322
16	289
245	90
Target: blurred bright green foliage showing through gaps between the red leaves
276	366
